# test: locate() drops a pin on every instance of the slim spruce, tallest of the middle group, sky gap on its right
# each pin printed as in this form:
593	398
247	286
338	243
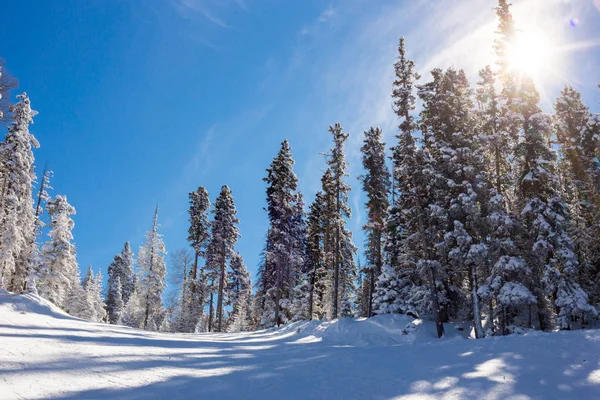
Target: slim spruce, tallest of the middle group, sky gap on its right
336	192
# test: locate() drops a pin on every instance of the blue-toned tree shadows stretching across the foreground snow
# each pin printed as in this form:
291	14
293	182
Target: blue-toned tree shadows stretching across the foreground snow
267	366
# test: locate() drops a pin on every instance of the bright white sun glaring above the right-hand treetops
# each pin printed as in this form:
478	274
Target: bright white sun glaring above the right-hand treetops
530	53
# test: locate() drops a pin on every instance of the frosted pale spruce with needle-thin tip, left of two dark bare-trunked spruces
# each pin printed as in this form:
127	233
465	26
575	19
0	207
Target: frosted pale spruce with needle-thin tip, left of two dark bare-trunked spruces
151	285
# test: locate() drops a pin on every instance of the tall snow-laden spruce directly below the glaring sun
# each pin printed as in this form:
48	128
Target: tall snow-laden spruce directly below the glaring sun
504	288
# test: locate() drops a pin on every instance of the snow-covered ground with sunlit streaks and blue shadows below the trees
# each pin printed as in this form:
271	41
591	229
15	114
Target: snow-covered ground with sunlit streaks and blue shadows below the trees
45	353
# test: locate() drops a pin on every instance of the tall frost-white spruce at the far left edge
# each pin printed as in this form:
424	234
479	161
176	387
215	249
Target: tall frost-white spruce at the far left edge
17	220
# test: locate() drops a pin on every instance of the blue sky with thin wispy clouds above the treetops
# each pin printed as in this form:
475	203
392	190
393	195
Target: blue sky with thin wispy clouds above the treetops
142	101
